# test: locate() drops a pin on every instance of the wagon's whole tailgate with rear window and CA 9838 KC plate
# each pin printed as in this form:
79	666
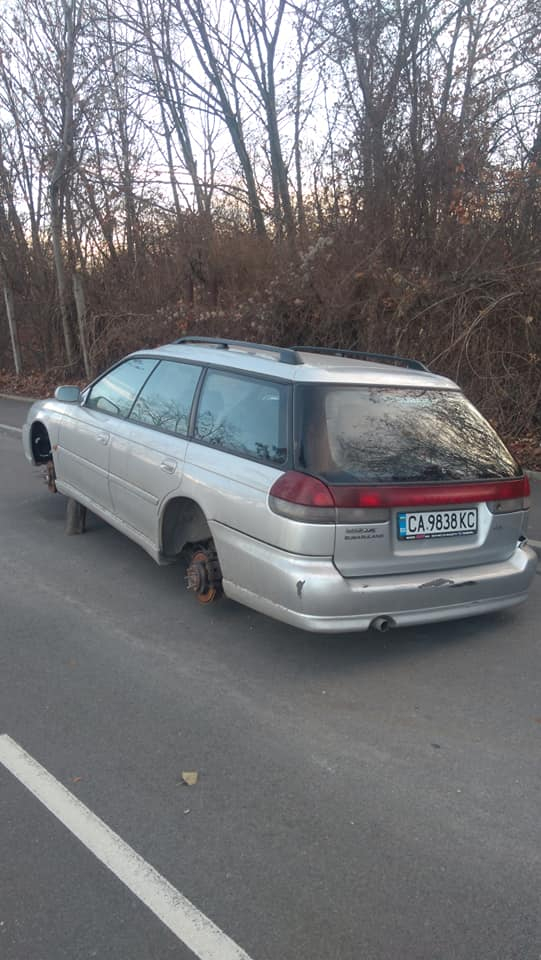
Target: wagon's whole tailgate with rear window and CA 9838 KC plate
421	481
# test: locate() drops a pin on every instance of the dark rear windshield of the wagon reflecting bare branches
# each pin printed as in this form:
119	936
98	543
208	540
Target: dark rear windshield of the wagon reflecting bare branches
395	435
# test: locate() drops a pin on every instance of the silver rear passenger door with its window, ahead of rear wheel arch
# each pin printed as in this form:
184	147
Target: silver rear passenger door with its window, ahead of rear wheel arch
149	447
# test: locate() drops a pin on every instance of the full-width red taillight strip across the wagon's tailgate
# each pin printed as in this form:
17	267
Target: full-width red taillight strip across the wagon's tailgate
302	497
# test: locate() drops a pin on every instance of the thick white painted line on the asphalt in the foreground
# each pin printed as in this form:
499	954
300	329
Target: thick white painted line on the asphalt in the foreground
192	927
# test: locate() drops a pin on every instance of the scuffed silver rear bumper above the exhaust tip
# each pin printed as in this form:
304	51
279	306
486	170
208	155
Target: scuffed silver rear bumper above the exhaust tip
309	592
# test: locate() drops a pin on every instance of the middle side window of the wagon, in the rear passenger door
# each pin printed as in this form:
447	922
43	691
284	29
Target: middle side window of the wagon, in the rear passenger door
166	398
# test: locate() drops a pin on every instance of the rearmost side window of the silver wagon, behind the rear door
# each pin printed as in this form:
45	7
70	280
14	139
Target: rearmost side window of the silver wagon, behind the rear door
244	416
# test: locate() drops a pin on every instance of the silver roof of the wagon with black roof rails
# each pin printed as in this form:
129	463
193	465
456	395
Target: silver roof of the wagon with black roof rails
314	367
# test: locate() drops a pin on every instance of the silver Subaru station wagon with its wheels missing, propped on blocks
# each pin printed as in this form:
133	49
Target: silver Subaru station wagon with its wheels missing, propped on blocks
331	490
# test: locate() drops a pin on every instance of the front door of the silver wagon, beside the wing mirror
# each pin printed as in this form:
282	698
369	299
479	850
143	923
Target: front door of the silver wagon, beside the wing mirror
86	429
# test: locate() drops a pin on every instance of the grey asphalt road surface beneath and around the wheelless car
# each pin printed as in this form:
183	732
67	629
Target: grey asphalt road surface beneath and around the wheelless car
359	798
